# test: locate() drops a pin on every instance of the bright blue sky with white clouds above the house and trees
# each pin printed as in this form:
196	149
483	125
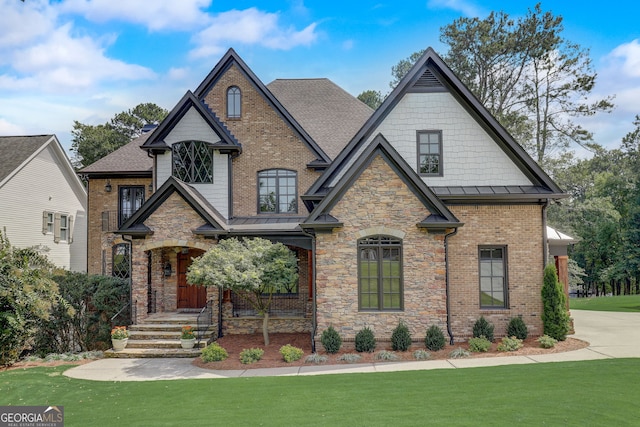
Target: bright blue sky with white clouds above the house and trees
86	60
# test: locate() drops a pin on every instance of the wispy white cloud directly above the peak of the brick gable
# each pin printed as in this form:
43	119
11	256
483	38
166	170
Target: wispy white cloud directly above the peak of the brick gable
249	26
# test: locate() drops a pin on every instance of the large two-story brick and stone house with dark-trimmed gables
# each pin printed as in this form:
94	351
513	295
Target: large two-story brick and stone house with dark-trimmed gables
425	211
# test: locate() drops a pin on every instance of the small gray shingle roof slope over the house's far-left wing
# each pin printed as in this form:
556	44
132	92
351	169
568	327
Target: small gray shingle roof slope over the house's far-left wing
128	158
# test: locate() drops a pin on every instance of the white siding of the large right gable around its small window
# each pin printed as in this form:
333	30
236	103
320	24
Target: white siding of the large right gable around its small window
470	155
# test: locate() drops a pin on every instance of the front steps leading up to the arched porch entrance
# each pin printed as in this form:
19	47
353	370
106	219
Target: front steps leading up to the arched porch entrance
159	336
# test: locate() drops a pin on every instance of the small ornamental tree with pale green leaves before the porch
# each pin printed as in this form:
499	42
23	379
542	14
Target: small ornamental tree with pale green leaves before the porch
254	269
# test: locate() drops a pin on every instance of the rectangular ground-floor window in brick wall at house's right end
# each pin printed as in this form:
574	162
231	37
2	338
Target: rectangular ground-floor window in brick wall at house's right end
493	276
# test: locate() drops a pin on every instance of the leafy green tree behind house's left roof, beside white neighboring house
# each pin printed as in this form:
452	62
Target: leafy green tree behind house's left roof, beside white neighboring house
90	143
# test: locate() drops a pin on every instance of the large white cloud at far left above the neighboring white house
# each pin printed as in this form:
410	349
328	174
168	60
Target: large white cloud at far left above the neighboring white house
61	62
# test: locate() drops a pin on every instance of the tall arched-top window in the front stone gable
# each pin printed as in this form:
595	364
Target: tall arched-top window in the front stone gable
380	273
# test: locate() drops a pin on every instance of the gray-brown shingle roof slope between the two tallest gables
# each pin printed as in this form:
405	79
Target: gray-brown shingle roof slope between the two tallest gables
327	112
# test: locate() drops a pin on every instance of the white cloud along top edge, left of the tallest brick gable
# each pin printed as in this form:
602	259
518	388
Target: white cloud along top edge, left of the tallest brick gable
155	15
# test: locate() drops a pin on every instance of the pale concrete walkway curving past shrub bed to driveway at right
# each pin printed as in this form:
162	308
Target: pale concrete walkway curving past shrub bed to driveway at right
610	335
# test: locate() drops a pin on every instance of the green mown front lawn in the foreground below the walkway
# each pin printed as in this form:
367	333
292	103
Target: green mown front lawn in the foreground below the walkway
598	392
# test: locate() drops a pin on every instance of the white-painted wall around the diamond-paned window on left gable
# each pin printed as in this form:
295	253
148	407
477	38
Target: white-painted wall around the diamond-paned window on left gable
193	127
